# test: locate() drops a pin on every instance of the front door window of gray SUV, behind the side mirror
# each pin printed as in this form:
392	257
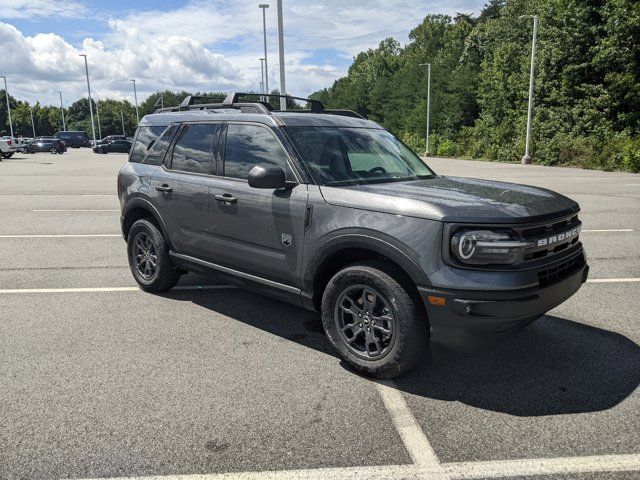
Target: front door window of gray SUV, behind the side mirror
251	145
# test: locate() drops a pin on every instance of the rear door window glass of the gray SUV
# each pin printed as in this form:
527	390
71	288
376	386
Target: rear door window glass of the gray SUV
193	149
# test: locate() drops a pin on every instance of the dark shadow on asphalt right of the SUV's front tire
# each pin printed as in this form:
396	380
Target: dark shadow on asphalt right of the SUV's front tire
552	367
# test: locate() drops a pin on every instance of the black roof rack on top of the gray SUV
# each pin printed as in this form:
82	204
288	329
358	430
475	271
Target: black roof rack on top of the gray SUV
232	101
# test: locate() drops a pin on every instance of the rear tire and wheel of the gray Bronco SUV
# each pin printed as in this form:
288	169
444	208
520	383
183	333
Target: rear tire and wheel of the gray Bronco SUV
145	238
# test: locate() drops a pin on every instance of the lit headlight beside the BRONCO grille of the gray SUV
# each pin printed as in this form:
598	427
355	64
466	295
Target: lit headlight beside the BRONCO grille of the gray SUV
486	247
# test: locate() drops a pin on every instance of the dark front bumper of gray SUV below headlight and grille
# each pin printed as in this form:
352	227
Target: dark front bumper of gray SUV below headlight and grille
467	312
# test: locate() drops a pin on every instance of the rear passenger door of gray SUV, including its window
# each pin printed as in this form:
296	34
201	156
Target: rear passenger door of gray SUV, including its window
181	188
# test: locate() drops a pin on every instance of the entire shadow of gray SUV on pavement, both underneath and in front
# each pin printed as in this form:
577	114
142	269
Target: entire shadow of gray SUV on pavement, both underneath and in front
554	366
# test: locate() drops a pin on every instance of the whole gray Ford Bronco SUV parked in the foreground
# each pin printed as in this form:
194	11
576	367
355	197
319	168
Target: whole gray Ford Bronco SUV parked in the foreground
329	211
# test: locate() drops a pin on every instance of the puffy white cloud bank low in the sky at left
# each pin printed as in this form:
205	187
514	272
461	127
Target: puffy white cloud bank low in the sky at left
40	65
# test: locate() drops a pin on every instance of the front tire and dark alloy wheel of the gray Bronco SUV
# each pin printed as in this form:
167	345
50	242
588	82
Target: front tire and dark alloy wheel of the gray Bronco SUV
409	340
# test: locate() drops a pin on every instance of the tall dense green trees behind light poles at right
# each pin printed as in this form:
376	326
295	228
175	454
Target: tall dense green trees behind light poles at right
587	84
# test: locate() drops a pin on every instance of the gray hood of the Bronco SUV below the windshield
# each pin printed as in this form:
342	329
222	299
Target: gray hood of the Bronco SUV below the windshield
455	199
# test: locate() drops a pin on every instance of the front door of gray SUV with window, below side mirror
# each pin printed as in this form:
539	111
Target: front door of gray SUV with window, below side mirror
258	231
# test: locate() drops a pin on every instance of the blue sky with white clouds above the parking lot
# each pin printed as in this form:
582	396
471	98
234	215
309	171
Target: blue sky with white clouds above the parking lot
195	45
